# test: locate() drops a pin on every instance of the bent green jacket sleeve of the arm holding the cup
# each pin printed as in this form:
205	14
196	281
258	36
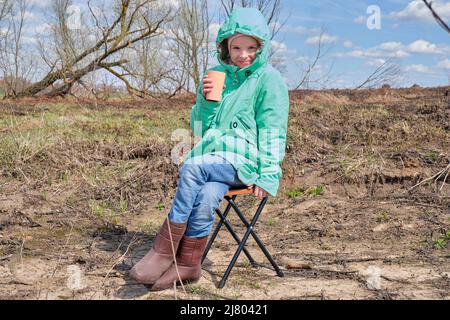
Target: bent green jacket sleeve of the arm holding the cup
202	113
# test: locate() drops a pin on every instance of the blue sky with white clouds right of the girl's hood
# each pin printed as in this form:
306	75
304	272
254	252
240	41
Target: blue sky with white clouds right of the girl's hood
408	34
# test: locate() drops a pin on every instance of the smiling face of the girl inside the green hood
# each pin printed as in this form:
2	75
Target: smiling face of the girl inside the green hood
243	51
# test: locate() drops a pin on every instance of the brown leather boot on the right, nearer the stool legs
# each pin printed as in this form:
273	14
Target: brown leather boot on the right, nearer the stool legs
189	257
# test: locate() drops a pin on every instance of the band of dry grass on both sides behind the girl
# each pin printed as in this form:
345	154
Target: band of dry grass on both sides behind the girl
69	146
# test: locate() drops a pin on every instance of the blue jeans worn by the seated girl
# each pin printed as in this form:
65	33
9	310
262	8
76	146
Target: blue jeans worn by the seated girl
201	187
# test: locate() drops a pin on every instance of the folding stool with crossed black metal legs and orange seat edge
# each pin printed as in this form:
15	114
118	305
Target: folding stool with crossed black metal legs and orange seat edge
230	196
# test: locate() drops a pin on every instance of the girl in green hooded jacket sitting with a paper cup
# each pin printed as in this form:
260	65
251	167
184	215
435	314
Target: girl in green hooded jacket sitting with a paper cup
243	143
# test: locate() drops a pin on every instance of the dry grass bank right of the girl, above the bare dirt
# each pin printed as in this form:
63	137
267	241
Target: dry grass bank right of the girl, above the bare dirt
354	141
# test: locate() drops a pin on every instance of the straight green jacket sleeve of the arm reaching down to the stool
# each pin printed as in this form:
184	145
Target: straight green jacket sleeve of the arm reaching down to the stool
272	119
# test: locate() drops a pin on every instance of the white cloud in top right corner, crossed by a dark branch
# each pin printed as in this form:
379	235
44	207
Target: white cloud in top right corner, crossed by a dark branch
416	10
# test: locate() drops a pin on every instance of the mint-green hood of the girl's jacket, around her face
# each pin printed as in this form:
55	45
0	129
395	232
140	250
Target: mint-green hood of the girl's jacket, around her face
251	22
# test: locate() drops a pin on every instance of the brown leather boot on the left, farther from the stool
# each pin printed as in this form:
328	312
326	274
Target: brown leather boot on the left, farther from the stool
160	257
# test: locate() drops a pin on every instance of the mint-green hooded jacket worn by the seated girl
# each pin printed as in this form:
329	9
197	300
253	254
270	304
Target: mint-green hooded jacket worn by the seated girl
248	127
